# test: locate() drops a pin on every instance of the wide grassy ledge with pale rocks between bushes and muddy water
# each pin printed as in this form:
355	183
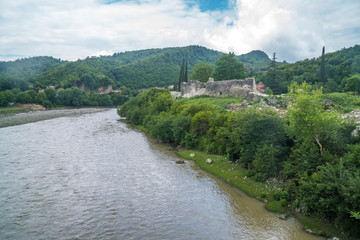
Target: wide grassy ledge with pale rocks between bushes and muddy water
237	176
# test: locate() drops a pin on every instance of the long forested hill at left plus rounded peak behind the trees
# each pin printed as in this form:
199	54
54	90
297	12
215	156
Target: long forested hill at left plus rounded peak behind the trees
133	69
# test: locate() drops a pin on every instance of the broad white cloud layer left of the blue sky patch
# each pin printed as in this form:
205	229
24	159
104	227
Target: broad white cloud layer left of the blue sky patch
75	30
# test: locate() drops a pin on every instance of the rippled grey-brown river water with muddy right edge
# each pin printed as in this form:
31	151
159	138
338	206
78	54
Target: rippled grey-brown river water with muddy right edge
90	176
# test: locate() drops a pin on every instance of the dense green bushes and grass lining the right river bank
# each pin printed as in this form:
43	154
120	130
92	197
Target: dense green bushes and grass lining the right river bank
311	151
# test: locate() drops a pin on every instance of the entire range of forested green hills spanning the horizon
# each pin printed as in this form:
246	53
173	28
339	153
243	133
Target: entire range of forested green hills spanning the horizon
160	68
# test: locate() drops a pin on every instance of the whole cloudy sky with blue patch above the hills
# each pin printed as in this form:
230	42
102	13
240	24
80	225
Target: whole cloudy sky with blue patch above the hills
75	29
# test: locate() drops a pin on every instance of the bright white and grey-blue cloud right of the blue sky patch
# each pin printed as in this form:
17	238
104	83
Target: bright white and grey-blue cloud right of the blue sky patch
294	29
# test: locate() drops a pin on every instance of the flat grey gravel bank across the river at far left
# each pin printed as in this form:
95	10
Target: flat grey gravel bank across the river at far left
29	116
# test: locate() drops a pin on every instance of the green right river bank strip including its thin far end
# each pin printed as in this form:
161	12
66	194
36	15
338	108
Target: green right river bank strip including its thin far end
236	176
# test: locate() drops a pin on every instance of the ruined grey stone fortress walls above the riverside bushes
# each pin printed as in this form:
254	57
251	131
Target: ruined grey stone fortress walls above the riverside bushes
245	88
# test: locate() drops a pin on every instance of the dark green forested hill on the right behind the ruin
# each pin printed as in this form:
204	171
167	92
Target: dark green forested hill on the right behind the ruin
339	67
